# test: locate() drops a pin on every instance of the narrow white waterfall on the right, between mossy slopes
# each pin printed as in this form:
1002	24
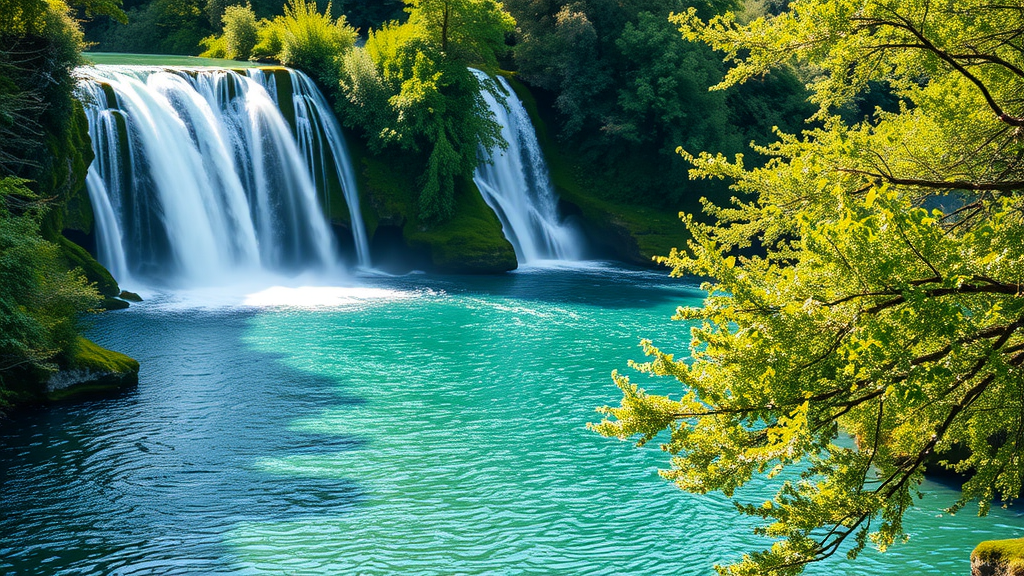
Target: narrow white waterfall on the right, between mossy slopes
516	184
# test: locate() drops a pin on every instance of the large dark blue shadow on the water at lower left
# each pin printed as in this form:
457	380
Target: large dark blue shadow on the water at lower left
91	489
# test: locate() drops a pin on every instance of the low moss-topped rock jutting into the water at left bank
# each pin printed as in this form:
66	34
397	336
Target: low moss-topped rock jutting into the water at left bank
90	371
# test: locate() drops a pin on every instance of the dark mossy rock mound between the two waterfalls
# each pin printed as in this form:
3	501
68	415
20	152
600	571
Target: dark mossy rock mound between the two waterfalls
471	242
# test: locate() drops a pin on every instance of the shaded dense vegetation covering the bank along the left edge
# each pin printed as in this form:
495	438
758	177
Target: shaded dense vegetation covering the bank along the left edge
41	163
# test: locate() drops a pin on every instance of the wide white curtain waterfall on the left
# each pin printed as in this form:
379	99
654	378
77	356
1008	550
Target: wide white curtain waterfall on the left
199	177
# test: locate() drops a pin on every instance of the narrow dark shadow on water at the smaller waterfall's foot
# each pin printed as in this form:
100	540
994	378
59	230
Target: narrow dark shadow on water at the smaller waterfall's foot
596	285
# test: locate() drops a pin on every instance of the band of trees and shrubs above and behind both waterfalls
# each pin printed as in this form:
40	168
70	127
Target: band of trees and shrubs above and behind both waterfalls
616	80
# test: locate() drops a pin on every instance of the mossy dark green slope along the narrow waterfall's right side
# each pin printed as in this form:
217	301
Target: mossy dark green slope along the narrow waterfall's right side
635	233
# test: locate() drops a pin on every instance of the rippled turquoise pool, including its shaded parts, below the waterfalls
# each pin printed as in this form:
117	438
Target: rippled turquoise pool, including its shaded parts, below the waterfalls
429	426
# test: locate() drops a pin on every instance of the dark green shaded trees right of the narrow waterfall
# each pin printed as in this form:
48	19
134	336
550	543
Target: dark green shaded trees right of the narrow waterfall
629	90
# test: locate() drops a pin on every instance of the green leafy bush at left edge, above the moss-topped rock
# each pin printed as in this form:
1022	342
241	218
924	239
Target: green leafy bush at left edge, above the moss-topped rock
39	299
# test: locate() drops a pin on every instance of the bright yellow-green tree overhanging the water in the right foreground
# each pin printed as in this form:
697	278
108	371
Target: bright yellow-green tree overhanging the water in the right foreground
880	295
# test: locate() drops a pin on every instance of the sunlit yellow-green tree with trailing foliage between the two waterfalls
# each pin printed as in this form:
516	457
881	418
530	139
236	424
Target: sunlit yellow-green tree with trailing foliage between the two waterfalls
410	88
